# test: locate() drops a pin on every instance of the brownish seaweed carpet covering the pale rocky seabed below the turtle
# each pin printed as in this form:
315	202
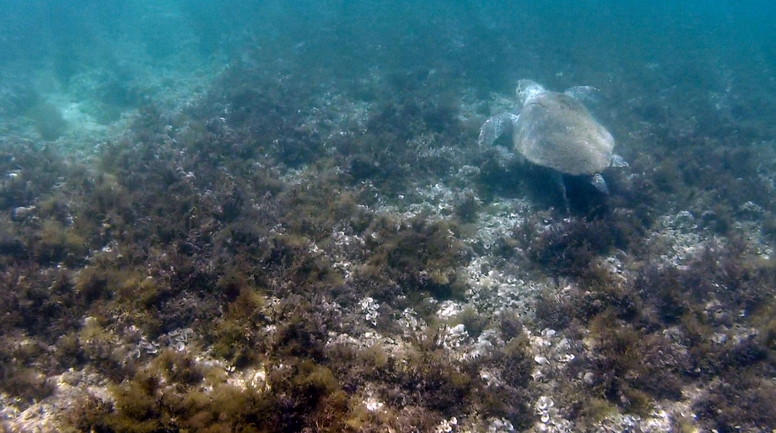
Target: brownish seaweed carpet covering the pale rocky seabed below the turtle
216	265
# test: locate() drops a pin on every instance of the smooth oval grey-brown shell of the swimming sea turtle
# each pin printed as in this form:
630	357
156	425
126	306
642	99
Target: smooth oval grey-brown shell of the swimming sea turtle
556	131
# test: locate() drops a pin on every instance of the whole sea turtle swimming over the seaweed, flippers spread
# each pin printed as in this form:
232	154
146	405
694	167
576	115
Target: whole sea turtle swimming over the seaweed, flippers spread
555	130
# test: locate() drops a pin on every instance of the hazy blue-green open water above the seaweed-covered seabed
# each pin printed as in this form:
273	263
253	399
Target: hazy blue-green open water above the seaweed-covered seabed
718	55
